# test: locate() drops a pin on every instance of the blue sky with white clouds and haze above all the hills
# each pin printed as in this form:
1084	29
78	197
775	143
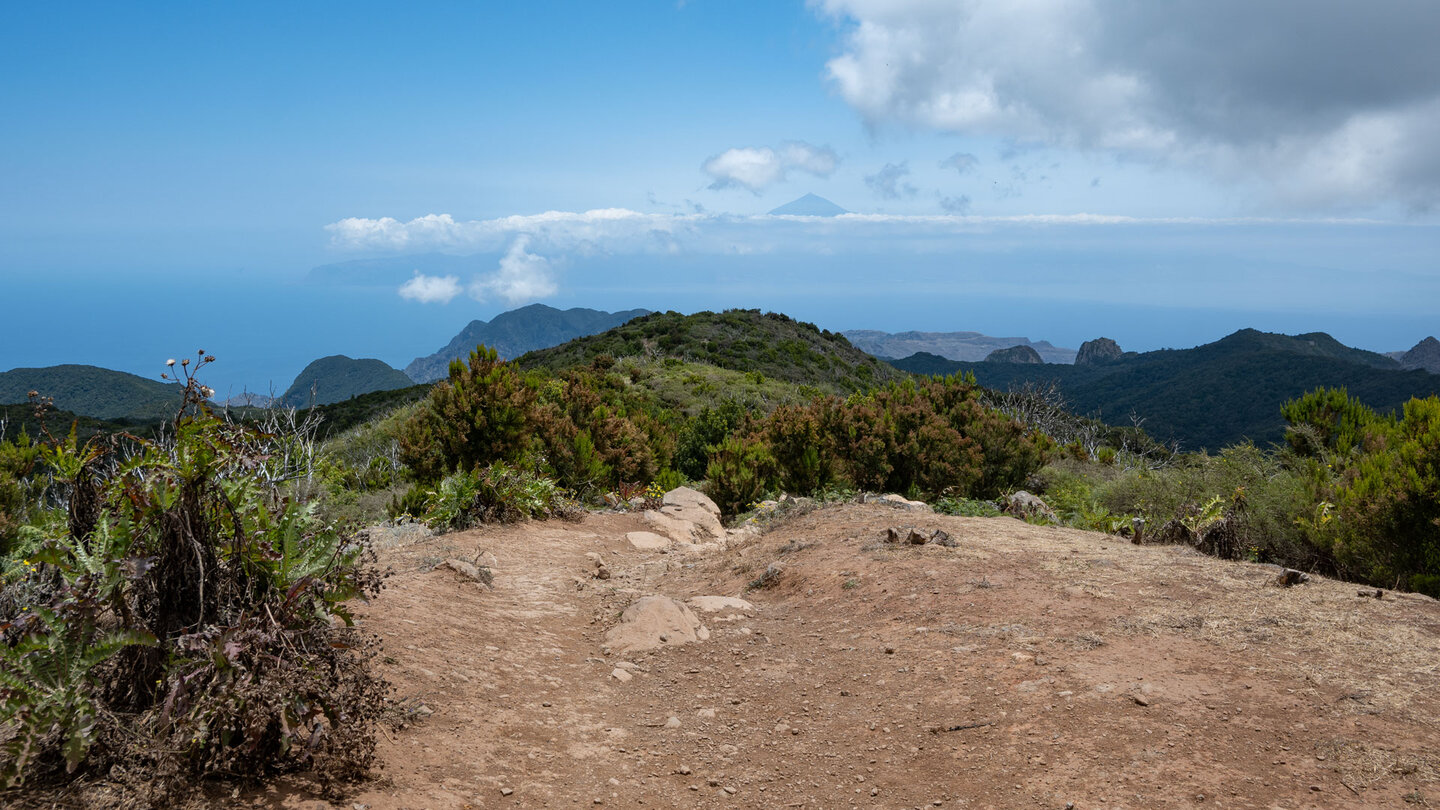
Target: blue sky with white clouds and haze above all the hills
171	175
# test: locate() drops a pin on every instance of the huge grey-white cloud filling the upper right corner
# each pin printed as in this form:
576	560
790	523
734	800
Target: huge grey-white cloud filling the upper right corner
1327	104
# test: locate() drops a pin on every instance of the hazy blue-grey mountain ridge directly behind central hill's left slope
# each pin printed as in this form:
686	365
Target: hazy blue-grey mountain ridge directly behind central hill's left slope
516	334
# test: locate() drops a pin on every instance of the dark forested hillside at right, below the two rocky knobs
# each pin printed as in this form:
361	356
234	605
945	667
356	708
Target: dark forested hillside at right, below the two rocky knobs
1212	396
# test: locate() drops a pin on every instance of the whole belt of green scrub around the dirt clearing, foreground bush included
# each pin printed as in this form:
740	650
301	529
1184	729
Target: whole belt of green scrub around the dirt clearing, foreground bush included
178	606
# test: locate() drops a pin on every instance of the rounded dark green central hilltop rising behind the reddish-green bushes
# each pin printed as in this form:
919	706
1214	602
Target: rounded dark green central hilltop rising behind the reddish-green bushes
741	341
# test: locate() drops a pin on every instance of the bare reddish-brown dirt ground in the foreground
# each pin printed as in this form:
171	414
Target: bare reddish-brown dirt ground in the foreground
1025	668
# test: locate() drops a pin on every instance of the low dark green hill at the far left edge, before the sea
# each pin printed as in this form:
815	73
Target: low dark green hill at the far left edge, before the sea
91	391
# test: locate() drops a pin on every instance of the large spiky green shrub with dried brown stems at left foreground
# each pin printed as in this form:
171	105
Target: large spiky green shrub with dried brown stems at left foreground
191	618
